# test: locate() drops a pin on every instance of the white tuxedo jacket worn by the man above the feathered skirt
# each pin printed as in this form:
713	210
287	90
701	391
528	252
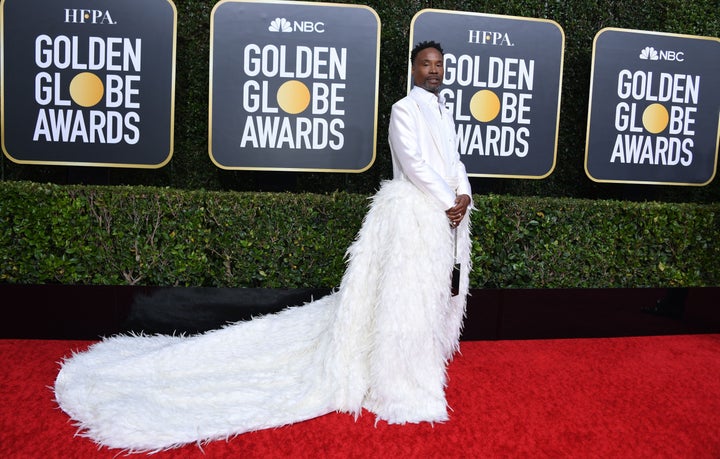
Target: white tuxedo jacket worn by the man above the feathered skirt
419	152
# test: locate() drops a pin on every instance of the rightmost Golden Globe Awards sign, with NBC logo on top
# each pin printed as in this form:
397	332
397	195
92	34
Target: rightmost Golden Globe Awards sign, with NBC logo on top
654	113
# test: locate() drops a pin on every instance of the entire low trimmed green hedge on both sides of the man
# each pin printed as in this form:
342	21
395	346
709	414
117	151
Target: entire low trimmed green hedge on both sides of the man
163	236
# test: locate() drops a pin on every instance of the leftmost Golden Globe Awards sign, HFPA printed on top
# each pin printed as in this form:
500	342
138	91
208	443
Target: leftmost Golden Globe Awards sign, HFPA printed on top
88	83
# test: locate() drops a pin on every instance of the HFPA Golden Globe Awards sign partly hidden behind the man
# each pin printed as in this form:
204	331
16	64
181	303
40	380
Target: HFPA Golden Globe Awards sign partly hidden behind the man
502	83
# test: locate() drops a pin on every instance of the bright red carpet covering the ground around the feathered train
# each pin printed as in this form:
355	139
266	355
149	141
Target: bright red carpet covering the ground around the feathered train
642	397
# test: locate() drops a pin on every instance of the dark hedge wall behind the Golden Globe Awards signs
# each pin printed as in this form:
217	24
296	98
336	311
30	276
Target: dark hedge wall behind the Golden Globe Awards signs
191	167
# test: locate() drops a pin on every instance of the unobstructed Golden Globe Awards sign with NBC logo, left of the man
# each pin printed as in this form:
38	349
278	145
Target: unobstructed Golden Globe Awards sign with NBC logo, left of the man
293	86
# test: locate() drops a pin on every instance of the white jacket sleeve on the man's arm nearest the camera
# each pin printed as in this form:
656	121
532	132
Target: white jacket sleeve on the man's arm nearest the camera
402	135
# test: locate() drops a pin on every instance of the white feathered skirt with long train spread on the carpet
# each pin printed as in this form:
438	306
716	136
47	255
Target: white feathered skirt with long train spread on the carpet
381	342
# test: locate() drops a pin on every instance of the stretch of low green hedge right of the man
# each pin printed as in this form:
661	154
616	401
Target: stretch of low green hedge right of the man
561	242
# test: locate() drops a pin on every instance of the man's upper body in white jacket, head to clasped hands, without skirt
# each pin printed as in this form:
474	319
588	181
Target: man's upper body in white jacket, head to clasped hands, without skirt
423	140
